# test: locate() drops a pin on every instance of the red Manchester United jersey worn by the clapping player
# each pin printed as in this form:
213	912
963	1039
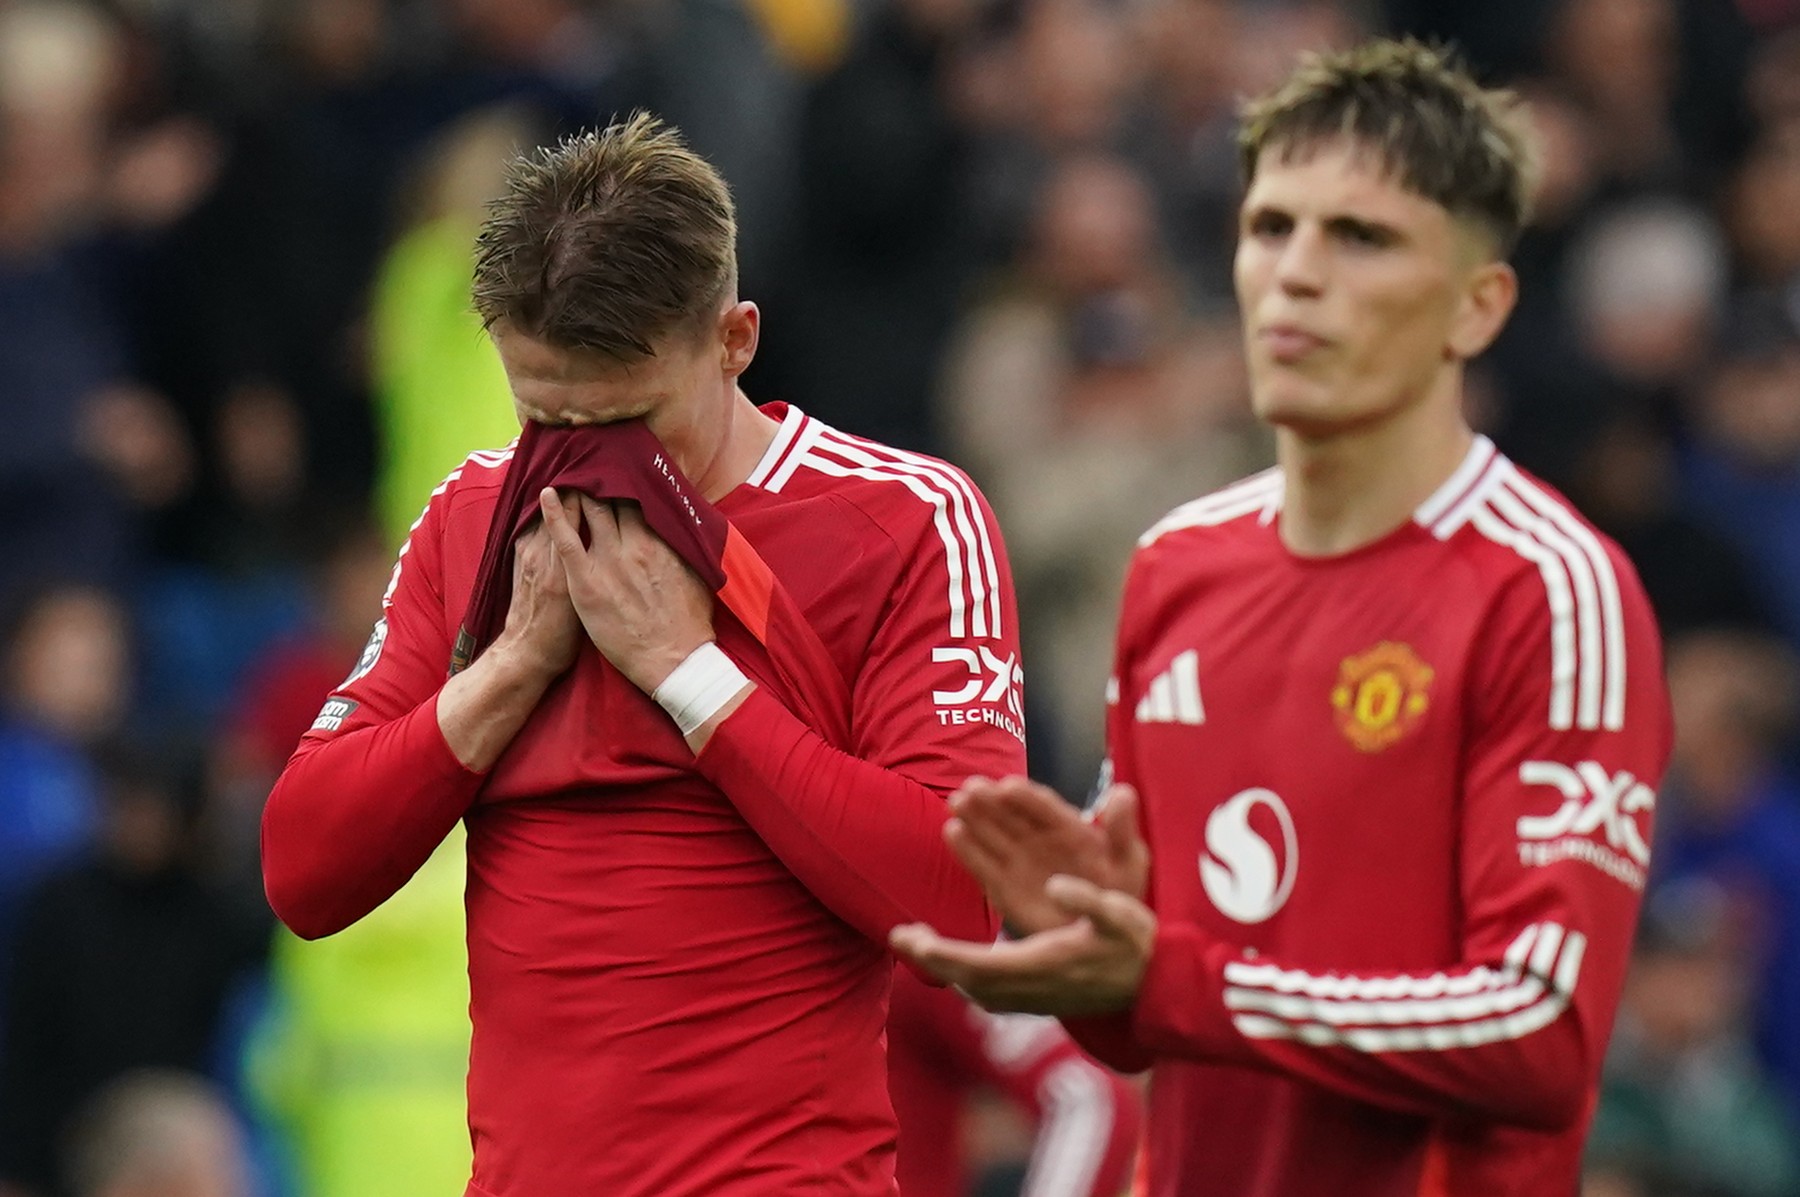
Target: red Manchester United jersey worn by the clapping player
1399	804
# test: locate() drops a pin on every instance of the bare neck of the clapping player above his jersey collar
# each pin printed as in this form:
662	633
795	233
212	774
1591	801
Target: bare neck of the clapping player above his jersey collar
1353	487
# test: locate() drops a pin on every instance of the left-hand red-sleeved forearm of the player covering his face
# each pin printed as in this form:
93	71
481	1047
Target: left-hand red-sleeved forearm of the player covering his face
355	816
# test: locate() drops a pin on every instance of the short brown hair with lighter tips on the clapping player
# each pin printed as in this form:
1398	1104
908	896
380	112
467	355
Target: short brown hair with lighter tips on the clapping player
1435	130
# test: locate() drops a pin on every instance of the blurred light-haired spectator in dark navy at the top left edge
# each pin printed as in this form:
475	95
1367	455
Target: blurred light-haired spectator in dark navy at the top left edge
80	444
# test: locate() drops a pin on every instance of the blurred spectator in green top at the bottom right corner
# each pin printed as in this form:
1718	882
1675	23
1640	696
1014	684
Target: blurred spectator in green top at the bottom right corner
1684	1101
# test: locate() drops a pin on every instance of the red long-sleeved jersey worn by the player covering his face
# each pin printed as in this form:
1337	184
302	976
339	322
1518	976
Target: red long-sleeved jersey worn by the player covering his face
678	967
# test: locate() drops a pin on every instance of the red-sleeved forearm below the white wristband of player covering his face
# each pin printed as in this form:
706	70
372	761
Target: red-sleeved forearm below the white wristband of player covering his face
865	840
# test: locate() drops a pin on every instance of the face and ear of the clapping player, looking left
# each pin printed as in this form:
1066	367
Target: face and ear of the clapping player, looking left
1358	296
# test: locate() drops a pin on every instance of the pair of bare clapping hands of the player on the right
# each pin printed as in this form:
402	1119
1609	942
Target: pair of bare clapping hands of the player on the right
1074	888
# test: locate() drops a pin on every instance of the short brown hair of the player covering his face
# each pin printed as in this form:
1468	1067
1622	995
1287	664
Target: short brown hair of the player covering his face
609	242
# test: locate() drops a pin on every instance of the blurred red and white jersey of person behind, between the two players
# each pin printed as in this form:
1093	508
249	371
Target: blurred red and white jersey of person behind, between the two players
942	1050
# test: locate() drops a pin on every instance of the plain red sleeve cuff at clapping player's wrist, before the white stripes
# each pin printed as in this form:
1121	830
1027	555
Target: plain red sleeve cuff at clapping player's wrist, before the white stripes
1182	1002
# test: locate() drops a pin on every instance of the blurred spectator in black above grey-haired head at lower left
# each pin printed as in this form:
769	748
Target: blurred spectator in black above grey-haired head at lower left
121	962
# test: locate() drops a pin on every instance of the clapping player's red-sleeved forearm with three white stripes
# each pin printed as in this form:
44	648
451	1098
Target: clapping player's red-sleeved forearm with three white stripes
1507	1039
